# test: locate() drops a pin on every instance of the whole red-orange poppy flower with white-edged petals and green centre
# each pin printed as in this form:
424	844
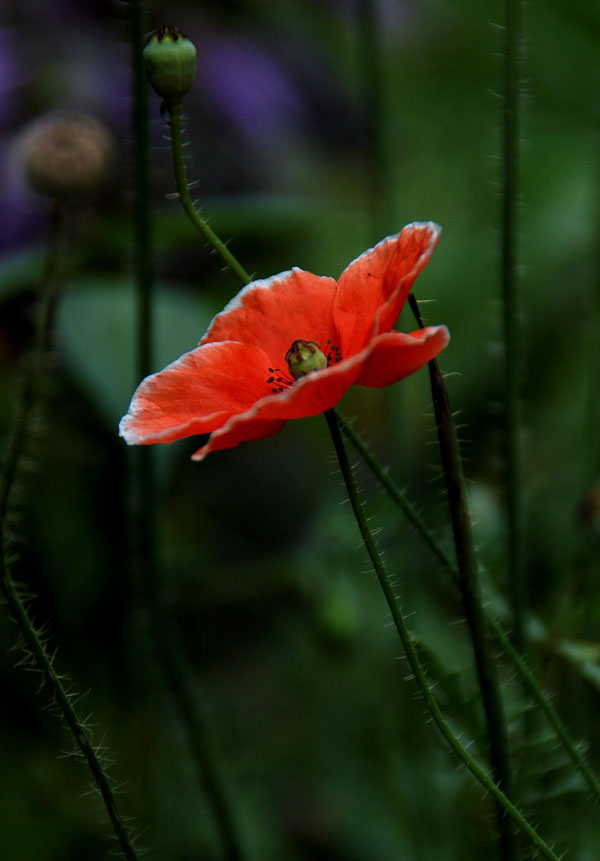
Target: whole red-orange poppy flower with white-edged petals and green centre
289	347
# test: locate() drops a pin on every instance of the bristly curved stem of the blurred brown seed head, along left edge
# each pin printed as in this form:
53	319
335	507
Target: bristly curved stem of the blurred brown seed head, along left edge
32	640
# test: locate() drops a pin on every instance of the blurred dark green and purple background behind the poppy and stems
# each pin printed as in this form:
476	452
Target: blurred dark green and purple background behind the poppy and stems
301	160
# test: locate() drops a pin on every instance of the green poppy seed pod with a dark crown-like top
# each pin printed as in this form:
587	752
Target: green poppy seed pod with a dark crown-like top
170	61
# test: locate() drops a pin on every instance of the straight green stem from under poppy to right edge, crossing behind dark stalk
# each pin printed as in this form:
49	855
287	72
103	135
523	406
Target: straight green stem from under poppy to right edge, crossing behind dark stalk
444	558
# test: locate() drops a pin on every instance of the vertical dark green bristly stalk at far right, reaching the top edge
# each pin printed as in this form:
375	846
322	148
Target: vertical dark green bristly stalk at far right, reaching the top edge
510	315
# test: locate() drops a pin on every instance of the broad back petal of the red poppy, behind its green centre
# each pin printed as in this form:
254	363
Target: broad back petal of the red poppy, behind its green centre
274	313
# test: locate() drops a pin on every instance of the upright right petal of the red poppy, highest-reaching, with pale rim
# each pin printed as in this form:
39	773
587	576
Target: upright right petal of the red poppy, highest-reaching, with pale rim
373	288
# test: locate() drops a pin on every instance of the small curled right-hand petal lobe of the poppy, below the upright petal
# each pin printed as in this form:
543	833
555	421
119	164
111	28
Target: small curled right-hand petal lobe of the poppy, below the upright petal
396	355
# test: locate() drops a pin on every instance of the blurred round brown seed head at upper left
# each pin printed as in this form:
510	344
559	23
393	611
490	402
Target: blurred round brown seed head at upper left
67	154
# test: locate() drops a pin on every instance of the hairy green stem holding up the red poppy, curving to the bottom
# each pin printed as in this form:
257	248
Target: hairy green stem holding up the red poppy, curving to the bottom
413	659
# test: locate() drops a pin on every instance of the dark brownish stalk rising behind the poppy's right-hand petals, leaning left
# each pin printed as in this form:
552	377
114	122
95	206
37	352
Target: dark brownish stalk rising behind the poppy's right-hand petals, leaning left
471	591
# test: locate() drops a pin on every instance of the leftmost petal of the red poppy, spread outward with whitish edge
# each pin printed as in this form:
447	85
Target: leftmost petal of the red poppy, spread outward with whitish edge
197	393
